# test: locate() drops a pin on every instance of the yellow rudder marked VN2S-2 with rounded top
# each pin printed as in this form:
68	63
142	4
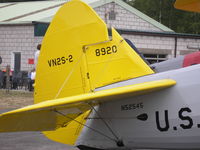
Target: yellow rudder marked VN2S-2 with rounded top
61	69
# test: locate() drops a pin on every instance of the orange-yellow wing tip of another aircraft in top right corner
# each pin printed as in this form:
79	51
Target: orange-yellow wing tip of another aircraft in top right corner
189	5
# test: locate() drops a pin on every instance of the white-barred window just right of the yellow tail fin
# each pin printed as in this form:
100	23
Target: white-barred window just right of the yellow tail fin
155	58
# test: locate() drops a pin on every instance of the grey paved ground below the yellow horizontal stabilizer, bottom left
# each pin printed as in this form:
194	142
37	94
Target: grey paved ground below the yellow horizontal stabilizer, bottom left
29	141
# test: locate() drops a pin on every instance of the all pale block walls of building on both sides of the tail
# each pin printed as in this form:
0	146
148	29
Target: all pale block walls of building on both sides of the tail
20	38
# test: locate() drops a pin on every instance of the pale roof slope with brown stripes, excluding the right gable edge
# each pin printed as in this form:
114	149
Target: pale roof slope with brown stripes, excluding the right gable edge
31	11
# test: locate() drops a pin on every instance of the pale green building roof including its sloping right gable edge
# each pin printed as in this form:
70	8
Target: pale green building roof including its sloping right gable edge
43	11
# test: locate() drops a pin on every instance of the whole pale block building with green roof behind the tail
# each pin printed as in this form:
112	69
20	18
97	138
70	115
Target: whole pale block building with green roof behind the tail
23	24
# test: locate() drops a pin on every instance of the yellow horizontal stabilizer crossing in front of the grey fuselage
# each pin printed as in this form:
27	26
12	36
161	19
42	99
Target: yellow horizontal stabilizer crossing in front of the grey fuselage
46	116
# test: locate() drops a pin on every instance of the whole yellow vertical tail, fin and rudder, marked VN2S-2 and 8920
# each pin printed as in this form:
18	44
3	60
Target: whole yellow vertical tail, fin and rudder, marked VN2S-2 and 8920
77	56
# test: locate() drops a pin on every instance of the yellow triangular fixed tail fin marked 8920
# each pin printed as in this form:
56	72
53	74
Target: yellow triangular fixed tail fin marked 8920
114	61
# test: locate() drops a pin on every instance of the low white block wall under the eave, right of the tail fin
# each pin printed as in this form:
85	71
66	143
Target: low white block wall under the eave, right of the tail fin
163	45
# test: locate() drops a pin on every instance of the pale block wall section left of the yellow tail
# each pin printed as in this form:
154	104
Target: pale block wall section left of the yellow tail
17	38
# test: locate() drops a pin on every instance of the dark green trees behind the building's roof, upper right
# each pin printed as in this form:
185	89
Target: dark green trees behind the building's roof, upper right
164	12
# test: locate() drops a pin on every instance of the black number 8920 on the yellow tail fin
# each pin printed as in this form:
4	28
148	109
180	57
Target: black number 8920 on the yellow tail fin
105	51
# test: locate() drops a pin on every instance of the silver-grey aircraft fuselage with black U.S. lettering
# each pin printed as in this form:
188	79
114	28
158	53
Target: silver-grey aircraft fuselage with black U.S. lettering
168	119
